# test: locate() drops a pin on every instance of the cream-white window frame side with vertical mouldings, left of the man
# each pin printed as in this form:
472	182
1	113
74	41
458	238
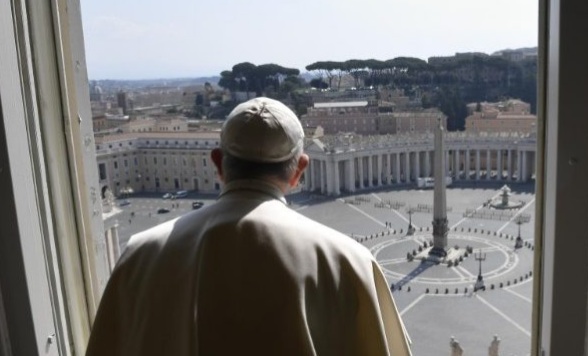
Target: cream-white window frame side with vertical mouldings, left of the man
54	247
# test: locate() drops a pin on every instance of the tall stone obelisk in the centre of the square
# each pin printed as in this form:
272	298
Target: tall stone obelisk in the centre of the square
439	198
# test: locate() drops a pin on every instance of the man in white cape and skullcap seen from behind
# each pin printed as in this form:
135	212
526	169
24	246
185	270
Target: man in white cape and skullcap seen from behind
248	275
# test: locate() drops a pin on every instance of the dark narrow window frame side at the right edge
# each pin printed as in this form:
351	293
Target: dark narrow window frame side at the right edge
560	309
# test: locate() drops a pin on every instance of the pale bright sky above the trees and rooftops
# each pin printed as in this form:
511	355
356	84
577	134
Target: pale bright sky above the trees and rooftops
148	39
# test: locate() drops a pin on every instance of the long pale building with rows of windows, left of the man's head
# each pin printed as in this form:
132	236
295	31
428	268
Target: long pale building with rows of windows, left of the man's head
157	162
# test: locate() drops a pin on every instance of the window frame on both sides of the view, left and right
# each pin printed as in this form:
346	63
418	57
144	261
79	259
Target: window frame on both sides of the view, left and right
42	56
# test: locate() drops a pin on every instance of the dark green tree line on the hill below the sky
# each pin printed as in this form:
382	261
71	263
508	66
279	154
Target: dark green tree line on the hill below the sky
448	85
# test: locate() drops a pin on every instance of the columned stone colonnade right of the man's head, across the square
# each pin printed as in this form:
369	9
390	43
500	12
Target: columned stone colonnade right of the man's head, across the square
351	163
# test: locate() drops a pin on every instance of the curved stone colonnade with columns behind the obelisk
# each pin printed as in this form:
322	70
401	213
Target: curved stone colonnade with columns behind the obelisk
334	171
